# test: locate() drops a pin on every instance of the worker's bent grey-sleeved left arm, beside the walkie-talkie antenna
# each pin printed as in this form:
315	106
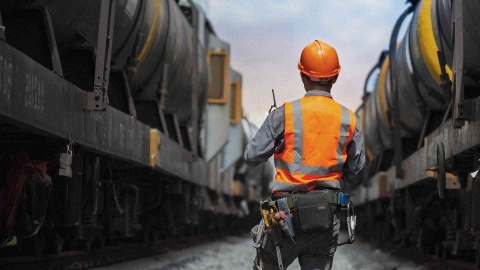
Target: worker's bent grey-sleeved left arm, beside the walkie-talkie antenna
263	144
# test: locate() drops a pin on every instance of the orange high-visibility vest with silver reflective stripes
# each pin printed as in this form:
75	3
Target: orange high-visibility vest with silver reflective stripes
317	132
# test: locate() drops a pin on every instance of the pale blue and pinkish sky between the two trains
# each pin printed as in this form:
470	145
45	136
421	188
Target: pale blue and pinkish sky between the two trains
266	39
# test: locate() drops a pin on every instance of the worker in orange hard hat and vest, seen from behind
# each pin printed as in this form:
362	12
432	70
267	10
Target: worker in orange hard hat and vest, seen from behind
316	142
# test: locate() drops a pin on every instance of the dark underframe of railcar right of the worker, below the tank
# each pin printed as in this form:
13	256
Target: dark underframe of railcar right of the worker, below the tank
426	175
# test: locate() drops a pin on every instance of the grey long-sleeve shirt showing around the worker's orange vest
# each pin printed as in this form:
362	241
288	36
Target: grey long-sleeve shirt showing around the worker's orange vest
271	132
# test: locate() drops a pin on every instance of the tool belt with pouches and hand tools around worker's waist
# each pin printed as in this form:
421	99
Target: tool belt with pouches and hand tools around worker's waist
307	212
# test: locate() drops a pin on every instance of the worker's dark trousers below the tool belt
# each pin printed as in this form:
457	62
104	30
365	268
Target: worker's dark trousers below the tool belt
314	250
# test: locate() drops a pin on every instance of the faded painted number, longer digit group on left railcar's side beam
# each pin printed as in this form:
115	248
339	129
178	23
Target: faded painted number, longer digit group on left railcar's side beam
34	93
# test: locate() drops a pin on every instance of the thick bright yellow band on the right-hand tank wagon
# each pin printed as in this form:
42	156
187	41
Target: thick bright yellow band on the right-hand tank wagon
428	45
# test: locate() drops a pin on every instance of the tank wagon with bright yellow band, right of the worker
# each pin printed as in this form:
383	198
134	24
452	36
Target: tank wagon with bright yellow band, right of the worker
421	122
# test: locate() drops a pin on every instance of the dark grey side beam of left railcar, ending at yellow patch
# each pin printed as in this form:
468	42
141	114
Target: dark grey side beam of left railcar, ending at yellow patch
38	100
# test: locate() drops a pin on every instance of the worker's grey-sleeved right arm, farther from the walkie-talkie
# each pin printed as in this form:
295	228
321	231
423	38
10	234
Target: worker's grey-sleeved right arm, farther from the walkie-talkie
355	163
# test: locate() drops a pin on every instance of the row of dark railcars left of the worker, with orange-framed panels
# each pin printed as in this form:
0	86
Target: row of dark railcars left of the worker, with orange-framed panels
118	119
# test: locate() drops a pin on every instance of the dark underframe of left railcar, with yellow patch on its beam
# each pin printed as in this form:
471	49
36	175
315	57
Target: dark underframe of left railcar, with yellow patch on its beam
40	110
